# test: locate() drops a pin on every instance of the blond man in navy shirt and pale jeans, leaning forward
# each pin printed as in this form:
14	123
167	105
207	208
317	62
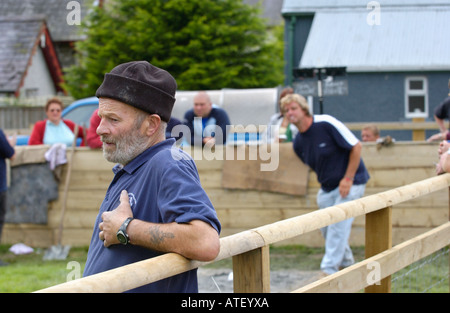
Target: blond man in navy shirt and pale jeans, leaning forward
334	154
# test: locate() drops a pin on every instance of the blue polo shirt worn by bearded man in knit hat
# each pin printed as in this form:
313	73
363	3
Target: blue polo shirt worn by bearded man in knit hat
163	186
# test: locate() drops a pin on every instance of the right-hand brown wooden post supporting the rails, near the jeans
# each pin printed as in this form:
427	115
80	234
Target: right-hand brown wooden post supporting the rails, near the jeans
379	239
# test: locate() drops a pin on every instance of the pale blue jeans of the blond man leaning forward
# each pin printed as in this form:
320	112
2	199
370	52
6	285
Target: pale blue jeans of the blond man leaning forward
337	250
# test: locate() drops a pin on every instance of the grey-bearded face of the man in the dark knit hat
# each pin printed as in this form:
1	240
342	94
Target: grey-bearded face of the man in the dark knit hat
120	131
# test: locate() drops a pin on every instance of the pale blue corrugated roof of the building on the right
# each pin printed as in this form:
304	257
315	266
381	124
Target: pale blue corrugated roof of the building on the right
407	39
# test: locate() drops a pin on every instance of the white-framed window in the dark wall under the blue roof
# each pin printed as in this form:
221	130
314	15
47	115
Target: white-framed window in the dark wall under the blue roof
416	97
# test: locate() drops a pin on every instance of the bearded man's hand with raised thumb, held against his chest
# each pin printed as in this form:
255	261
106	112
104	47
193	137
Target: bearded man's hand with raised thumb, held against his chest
112	220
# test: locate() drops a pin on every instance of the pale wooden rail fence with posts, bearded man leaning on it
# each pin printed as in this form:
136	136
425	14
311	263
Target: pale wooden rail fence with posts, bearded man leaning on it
250	249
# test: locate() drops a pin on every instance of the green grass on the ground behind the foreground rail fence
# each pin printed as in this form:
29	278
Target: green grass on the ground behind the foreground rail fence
27	273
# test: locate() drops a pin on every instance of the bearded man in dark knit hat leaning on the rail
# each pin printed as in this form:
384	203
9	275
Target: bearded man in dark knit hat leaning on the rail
155	203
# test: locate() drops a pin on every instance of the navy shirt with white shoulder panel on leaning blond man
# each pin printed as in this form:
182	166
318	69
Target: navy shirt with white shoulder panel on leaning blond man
325	148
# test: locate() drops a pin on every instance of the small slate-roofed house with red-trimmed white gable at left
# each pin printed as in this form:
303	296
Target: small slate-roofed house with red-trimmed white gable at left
29	66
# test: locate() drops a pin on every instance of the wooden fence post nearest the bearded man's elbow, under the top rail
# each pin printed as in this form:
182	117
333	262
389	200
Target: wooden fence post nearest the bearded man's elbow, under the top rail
251	271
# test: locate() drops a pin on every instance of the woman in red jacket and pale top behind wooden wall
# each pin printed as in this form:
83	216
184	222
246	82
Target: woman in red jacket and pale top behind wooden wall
54	129
